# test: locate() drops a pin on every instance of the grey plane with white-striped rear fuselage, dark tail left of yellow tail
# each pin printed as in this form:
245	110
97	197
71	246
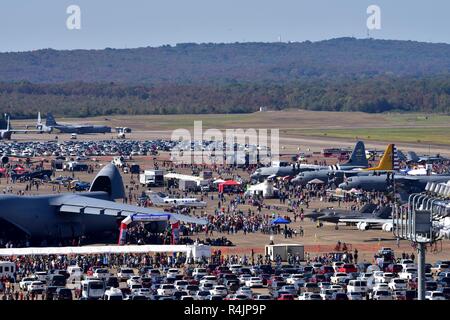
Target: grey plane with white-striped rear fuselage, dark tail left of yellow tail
357	160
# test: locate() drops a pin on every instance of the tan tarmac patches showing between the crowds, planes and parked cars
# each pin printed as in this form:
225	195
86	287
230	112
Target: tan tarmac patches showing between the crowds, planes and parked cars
316	240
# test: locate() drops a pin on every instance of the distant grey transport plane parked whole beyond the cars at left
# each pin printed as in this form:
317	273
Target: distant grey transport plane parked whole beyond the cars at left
51	124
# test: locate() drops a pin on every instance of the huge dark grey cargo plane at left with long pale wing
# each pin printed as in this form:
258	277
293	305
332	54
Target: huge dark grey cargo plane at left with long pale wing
70	215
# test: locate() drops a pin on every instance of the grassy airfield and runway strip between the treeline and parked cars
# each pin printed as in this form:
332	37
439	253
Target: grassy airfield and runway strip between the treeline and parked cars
298	129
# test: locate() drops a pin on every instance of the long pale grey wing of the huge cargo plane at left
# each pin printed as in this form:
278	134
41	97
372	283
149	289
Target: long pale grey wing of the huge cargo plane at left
87	205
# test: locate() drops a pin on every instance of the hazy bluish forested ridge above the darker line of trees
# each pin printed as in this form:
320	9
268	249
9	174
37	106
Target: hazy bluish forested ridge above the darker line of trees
228	63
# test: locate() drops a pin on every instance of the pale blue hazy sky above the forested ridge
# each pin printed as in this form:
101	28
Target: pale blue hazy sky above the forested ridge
36	24
